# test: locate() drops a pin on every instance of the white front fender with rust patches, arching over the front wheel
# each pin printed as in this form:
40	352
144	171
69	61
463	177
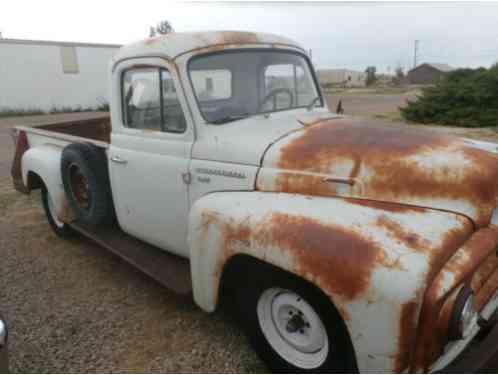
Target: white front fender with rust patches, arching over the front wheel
372	259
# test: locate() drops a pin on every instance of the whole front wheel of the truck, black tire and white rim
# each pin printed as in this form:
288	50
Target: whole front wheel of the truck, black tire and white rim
293	327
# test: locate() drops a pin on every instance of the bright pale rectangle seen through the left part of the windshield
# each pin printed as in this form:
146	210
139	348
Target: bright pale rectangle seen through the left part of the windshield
214	84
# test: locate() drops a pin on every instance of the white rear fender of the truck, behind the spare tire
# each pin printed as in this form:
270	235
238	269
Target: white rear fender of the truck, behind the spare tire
45	161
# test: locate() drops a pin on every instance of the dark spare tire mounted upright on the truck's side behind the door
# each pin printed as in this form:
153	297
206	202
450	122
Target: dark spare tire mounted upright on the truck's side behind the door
85	178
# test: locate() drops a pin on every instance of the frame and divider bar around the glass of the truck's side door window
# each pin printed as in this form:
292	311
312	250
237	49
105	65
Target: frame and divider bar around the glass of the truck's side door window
160	70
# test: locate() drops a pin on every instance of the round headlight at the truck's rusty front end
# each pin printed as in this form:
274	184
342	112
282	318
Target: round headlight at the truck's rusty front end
464	315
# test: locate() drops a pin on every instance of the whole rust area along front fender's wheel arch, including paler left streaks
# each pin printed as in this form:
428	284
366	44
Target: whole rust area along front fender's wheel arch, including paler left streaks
339	260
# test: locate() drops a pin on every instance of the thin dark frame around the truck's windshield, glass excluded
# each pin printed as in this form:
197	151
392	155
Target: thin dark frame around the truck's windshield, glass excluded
238	50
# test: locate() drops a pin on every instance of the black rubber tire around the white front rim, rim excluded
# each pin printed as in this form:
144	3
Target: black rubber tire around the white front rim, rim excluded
340	357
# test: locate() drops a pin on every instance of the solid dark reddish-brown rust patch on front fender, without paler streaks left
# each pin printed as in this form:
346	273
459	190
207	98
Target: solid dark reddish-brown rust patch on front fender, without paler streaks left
341	259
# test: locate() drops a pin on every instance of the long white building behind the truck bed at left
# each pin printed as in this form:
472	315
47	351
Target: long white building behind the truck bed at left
45	75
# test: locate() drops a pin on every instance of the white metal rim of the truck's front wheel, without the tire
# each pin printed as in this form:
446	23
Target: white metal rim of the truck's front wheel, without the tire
293	328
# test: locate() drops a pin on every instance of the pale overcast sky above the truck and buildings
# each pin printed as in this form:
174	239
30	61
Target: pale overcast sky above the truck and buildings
349	35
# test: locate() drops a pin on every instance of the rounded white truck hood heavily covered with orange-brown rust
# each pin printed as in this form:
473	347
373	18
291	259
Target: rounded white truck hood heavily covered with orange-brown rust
359	158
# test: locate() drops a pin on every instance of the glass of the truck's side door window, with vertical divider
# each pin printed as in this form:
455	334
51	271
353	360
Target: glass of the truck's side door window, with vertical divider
150	101
